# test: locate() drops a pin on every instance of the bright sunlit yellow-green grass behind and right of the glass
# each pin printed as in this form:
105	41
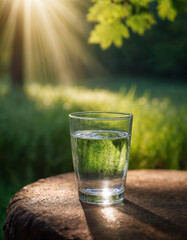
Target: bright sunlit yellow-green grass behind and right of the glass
159	131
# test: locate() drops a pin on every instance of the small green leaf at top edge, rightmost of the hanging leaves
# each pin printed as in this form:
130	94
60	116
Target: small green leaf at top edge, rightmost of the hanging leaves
166	10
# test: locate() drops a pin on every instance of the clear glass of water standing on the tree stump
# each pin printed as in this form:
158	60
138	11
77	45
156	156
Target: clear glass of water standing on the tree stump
100	149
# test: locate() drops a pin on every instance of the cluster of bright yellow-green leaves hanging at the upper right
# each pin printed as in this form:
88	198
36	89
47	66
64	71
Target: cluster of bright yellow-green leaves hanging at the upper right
115	18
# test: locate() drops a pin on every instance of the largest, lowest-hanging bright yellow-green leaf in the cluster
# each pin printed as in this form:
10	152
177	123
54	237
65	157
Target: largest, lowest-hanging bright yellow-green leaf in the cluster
107	33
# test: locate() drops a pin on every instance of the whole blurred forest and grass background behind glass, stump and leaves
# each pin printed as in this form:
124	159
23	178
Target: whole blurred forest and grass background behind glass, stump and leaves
62	73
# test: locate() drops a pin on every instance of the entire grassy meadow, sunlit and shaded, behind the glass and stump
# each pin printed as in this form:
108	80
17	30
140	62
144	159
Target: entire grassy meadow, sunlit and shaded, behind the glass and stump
34	127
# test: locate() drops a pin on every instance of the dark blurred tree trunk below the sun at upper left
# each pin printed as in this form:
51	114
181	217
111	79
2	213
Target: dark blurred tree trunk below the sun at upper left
17	51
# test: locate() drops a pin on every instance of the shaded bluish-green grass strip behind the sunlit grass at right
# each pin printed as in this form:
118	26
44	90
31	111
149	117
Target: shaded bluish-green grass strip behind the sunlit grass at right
160	88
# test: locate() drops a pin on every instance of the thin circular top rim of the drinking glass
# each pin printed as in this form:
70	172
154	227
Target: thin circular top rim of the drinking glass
77	115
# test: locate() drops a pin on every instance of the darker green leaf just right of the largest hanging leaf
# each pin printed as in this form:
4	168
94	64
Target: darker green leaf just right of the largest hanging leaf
139	23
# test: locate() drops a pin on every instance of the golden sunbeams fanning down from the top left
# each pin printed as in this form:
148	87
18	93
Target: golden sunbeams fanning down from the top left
53	32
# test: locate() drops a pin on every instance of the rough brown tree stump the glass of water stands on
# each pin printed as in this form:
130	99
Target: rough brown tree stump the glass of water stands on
155	207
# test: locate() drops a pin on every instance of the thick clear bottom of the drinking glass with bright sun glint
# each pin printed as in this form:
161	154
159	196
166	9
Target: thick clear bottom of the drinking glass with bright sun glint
101	197
